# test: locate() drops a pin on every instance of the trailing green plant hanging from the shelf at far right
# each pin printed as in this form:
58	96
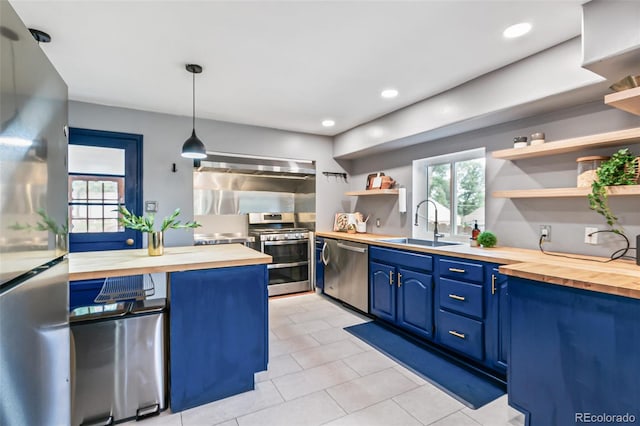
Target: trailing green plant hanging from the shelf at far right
620	169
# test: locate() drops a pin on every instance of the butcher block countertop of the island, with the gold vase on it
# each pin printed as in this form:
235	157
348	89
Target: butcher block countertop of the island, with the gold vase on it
116	263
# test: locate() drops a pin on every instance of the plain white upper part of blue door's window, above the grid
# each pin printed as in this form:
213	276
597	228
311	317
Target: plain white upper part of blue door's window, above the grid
96	160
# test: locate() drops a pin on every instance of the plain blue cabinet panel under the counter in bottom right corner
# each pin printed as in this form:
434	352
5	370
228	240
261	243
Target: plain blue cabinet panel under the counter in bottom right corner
574	355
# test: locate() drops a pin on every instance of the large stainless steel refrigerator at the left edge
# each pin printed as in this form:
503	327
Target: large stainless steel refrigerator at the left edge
34	327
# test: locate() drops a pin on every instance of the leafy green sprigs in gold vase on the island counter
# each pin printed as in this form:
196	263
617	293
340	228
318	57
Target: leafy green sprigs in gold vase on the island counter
147	224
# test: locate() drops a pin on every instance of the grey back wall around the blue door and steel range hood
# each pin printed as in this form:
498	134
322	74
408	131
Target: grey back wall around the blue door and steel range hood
163	138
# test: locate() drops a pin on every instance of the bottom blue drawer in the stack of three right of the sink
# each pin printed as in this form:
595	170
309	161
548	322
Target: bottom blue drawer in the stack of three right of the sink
460	333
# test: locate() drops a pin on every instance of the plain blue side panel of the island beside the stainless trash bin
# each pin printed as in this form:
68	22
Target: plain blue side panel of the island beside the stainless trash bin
218	333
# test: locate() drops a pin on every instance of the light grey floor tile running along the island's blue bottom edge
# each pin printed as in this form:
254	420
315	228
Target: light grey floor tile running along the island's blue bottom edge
265	395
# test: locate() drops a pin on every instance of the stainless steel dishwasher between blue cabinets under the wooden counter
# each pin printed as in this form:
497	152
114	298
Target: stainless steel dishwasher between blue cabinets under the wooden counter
346	272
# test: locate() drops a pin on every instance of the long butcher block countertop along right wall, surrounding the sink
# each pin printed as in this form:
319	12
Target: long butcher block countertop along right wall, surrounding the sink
619	277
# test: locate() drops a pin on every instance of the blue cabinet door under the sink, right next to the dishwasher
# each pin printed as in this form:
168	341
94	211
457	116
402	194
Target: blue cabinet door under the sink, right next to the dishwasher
382	291
